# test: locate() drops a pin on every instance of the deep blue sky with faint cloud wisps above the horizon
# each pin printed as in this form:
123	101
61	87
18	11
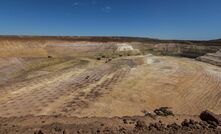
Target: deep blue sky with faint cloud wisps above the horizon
166	19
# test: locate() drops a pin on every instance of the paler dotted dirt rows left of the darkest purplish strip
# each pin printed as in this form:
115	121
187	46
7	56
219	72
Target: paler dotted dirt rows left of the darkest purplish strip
30	96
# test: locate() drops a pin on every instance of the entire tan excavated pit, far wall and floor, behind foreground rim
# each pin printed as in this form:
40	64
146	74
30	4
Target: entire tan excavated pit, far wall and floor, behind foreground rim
51	76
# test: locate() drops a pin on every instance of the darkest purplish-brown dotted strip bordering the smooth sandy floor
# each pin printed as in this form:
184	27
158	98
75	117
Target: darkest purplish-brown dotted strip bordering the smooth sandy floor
85	97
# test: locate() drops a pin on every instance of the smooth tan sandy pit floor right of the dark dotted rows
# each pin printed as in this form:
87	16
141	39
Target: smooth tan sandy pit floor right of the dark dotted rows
187	86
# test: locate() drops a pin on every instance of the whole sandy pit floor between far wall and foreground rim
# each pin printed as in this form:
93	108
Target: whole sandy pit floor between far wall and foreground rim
123	87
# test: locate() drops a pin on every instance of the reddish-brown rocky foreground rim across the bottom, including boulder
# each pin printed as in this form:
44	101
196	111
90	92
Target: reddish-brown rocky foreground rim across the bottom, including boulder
207	122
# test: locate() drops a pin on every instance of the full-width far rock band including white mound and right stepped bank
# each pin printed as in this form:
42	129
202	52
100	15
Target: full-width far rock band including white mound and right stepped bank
90	46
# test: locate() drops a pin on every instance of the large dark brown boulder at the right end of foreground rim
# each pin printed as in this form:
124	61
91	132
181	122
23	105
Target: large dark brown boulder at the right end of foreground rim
210	117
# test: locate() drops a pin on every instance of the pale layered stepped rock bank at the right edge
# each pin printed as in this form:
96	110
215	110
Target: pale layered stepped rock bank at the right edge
212	58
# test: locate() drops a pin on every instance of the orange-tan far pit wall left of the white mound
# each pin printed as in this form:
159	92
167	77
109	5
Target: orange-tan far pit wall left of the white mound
52	48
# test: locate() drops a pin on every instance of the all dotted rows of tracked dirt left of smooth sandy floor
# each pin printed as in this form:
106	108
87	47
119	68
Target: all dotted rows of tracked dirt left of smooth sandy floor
59	92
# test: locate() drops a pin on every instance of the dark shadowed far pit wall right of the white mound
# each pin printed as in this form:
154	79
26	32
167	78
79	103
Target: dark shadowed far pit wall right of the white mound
178	49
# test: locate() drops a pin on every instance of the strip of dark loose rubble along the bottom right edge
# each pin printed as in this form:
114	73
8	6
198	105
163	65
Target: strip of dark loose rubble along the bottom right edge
187	126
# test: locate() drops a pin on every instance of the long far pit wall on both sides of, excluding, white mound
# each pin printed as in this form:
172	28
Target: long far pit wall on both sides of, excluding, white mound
61	48
